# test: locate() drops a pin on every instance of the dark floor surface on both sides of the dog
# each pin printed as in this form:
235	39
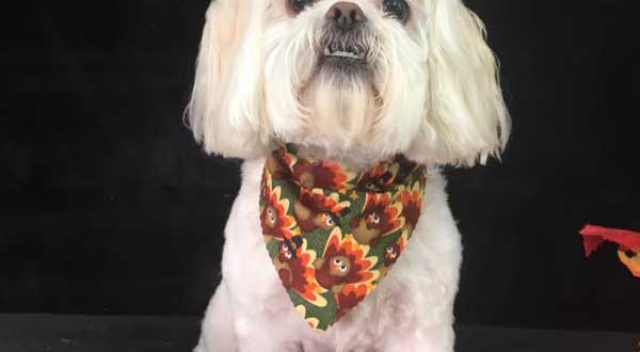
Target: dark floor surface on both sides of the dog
29	333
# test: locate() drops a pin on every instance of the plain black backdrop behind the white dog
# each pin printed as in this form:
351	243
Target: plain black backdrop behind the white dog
107	206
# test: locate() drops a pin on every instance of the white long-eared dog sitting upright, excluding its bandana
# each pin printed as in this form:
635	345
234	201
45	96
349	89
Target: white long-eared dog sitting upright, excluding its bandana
355	82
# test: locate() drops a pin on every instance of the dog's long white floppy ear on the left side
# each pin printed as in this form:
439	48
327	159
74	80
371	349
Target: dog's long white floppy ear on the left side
226	110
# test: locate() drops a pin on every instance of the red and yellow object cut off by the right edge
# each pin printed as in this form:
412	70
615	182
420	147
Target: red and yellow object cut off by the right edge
628	242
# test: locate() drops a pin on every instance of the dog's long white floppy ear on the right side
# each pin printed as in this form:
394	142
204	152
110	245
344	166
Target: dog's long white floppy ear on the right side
467	119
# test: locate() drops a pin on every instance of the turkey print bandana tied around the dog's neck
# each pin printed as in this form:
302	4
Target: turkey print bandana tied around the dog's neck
332	234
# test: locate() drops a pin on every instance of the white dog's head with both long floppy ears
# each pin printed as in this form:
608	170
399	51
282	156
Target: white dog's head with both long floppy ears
371	77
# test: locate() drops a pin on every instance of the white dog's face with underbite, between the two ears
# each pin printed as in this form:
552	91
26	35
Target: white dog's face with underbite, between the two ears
346	76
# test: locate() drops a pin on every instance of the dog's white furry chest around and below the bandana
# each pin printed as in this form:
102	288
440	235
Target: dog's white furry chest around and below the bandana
258	291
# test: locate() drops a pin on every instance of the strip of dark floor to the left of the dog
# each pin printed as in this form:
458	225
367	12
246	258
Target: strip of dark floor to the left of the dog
53	333
